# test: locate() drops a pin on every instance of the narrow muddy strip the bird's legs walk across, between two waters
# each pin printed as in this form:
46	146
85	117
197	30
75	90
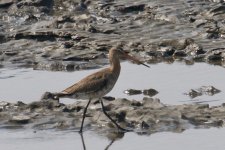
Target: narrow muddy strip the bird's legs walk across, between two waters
147	116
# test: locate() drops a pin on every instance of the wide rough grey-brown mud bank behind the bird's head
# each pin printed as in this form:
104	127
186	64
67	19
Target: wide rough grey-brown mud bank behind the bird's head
74	35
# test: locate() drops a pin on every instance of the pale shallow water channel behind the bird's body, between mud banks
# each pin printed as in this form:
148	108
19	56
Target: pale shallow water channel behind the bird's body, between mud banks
171	80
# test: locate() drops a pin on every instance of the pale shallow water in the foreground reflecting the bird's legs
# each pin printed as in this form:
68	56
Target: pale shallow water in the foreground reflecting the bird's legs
195	139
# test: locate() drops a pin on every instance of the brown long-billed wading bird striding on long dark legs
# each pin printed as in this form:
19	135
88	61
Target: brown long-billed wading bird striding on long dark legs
98	84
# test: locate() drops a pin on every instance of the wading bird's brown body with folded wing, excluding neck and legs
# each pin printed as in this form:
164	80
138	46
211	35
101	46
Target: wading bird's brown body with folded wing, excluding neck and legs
93	86
